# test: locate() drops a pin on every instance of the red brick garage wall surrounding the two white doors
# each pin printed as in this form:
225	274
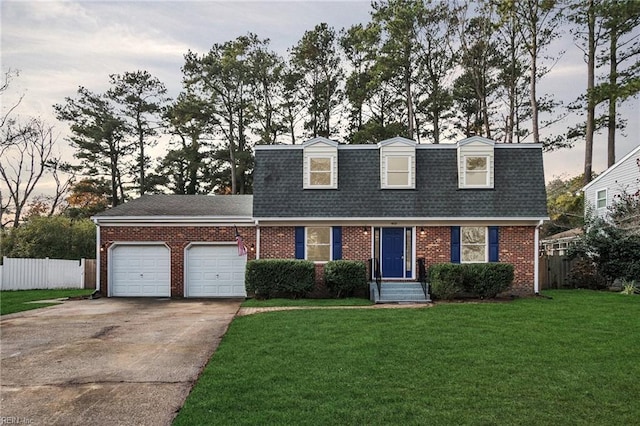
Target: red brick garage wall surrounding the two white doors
176	238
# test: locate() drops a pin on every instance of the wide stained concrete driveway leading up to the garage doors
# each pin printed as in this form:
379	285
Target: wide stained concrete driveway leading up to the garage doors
106	361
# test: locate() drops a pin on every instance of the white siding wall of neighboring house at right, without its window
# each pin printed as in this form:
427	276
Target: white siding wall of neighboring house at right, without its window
623	176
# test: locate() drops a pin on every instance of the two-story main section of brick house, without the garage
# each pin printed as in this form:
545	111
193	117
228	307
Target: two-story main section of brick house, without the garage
401	206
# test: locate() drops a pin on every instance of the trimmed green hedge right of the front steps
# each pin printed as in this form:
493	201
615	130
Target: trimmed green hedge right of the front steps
483	280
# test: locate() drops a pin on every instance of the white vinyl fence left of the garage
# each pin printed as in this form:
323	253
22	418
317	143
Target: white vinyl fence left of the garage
29	274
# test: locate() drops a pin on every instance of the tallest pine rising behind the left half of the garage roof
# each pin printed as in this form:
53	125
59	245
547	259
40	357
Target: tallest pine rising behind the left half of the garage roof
140	98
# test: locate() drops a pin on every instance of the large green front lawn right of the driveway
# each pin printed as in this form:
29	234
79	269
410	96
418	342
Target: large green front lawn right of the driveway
570	360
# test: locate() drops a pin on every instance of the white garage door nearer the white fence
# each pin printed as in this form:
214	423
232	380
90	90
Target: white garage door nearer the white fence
140	270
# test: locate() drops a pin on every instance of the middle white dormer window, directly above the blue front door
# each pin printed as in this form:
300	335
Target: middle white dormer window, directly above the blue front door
397	163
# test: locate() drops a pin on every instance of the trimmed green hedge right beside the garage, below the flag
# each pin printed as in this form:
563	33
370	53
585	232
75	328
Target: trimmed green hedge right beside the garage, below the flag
267	278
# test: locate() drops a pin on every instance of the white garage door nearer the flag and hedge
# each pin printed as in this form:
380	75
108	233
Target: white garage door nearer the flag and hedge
215	271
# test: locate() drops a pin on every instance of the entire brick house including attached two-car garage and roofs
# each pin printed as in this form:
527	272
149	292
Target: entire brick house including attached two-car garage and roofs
396	202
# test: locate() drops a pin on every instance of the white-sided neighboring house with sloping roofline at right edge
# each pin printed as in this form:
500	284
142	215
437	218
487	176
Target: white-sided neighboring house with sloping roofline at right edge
601	193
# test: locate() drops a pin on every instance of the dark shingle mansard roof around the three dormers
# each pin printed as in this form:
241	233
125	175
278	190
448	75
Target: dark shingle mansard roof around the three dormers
519	189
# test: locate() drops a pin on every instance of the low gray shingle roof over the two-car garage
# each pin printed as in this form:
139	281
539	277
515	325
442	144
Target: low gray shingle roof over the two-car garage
184	205
